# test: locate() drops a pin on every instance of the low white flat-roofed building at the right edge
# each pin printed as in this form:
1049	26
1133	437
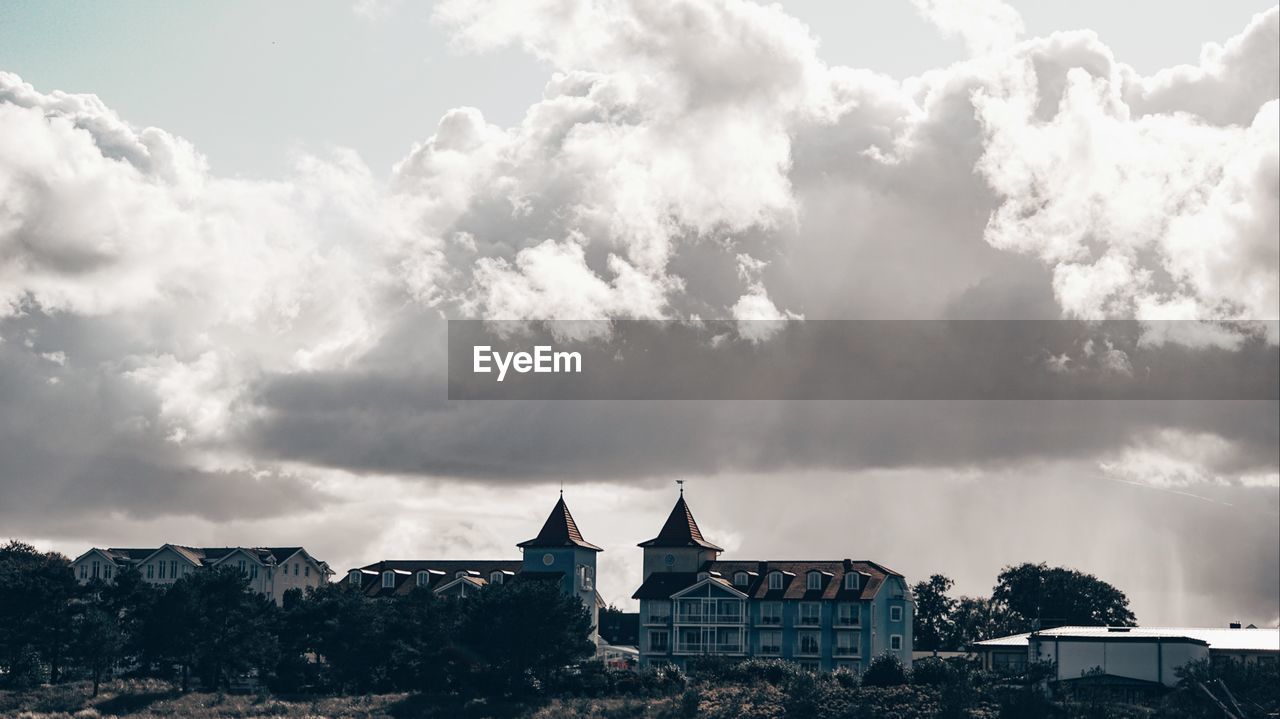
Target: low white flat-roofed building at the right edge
1148	656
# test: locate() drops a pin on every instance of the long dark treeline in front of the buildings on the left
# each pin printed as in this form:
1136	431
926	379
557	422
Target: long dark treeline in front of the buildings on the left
211	628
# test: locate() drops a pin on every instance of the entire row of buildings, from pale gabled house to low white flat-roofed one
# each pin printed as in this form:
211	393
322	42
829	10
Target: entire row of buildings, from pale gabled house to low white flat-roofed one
821	613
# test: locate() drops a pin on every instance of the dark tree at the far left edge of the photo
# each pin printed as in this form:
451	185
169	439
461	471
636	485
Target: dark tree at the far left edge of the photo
36	593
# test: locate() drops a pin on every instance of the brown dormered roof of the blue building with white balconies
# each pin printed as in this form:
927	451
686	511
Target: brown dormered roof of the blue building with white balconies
662	585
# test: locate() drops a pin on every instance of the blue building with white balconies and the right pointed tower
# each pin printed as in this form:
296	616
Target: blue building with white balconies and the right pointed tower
824	615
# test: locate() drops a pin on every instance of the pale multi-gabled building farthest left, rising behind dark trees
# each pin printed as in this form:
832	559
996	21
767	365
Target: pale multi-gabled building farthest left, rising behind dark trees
272	570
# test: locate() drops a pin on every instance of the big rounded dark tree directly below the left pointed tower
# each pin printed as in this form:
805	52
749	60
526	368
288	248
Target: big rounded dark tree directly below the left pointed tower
528	629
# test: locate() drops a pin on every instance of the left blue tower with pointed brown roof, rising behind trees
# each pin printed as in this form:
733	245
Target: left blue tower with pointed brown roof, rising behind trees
560	549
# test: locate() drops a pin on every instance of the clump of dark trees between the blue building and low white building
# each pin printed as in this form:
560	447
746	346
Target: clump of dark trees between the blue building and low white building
1026	598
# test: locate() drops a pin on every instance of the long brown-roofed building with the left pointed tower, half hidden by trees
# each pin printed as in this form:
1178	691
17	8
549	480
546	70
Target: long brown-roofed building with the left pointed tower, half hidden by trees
559	555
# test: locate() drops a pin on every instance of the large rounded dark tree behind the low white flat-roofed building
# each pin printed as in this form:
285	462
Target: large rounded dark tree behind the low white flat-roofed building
1044	597
